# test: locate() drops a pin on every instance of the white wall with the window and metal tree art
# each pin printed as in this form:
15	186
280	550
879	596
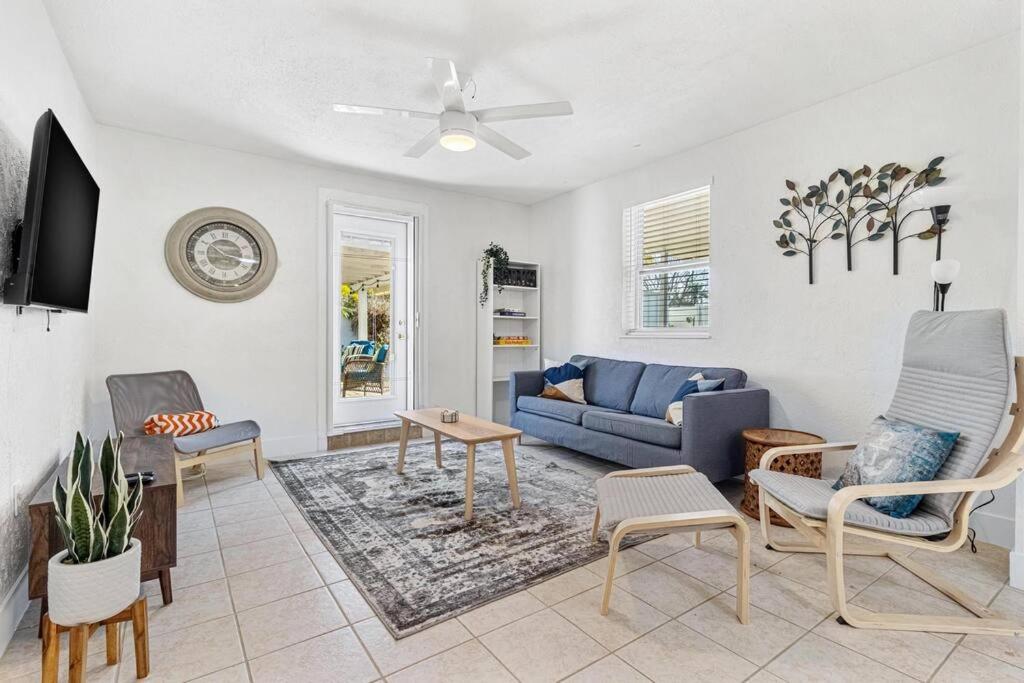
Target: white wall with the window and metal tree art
830	353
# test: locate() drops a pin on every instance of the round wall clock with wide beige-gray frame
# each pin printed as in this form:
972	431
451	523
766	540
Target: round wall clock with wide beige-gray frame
221	254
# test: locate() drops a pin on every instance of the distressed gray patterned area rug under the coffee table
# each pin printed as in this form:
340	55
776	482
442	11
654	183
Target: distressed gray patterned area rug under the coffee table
405	544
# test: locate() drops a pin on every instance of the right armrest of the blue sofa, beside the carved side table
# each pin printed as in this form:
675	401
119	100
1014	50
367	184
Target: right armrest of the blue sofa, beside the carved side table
713	423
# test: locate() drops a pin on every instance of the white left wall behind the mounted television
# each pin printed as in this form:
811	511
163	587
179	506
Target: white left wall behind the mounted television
42	375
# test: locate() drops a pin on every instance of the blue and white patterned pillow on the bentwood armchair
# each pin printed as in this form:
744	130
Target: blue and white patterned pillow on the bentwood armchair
895	452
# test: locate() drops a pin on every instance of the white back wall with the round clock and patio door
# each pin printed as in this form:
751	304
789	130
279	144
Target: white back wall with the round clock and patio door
259	359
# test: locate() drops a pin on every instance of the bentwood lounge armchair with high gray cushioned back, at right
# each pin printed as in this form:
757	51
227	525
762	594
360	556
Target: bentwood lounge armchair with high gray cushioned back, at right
957	376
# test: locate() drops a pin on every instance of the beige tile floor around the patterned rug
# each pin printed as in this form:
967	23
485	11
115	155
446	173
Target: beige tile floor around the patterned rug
259	599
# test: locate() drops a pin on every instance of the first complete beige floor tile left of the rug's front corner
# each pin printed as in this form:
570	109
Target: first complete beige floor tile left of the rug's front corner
278	625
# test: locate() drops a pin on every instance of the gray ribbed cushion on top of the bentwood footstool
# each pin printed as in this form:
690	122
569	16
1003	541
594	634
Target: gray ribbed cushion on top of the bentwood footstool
629	497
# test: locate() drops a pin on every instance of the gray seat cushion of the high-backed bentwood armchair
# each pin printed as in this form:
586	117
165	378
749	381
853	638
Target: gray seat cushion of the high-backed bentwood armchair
810	498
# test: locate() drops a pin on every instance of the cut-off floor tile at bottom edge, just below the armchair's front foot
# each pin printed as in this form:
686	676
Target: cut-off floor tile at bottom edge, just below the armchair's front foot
817	659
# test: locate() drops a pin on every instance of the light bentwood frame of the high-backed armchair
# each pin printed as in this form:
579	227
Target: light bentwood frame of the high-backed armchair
1005	464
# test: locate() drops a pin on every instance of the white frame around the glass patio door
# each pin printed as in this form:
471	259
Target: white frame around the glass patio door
373	207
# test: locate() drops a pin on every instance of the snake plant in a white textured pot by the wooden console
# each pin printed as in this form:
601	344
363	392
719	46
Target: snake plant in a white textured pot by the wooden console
98	575
